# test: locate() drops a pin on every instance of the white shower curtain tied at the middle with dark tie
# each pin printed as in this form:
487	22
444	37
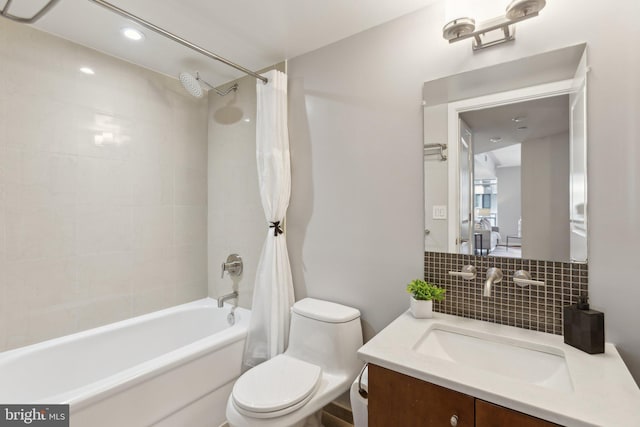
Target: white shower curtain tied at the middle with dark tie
273	289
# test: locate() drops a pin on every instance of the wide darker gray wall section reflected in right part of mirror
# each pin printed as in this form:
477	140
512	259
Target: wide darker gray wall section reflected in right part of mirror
545	213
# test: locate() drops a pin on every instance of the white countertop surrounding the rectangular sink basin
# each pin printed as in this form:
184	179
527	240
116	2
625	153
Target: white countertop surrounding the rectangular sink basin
604	392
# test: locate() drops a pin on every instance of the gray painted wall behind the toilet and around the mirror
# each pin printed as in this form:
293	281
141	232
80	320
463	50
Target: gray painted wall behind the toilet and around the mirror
356	217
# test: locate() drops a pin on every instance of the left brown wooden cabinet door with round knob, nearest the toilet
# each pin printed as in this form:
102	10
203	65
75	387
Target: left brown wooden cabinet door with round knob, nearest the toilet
399	400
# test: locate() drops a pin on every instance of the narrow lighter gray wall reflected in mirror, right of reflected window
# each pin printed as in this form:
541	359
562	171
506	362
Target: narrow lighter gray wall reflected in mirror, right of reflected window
509	202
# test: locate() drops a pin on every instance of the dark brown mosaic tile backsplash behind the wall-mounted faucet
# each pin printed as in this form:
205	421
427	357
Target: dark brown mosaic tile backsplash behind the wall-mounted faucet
538	308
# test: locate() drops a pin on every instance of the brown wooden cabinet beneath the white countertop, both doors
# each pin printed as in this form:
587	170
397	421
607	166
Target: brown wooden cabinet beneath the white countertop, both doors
399	400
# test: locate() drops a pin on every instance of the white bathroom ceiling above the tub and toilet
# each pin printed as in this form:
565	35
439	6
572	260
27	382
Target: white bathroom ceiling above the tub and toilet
253	33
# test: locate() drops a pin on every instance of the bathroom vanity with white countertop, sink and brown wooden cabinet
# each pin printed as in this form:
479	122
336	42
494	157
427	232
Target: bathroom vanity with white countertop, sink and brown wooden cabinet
455	371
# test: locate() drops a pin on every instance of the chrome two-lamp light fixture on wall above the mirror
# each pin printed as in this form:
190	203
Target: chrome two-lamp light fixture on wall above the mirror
492	31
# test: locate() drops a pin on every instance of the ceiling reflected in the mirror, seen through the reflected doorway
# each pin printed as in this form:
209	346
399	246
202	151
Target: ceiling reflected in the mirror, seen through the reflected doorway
538	118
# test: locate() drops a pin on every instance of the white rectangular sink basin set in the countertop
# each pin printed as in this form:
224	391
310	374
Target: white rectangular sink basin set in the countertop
519	360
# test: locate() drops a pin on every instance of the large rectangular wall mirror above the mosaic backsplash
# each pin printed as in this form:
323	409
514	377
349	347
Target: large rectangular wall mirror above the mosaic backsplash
505	159
